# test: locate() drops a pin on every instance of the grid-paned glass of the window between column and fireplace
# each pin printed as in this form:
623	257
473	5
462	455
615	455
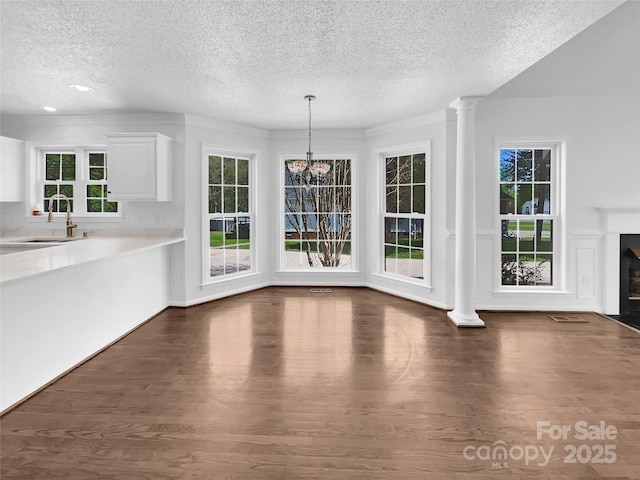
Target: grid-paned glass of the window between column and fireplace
527	216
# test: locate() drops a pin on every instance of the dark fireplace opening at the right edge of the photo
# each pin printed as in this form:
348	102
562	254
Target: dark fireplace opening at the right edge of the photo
630	276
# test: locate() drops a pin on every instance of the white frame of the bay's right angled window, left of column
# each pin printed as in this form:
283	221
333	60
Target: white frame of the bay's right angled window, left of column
427	217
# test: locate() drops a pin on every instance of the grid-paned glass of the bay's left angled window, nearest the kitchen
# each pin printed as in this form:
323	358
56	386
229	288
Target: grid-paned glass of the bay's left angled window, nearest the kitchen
229	215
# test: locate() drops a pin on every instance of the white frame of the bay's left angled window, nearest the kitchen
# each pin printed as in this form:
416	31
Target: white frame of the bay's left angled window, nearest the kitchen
245	154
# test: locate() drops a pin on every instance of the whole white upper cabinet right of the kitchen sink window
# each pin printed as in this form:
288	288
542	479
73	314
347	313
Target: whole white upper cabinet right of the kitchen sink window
139	166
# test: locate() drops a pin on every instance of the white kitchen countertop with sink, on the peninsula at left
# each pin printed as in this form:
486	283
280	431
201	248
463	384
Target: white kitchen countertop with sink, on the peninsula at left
37	261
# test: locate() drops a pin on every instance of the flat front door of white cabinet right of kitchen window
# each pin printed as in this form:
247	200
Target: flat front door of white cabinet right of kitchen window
132	168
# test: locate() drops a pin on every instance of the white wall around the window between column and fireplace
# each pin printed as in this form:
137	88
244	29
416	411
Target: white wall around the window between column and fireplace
602	168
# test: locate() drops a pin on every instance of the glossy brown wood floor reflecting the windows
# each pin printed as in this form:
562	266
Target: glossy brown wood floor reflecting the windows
353	384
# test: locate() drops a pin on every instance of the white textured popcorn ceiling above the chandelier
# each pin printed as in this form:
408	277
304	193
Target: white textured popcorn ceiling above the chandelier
252	62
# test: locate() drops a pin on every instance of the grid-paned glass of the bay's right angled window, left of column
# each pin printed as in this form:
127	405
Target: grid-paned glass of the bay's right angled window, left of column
405	215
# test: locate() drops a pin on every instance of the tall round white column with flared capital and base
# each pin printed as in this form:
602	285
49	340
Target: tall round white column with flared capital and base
464	313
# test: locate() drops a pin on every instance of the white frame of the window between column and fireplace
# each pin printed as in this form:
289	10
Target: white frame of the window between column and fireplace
557	213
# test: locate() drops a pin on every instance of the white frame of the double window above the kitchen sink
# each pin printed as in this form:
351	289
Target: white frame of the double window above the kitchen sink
36	189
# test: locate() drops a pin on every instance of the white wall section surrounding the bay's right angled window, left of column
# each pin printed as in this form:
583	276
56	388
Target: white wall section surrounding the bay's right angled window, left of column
442	195
